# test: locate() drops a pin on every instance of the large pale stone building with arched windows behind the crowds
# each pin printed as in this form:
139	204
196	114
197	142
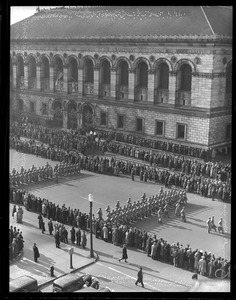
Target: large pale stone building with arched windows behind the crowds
169	87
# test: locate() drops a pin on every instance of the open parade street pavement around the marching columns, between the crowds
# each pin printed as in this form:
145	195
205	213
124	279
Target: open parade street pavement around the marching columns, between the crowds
108	189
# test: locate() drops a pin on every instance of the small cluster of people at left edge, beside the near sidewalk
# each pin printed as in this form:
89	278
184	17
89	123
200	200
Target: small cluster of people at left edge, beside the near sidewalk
16	242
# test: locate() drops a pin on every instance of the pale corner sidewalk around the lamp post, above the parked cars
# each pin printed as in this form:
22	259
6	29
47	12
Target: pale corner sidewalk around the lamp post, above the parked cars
49	254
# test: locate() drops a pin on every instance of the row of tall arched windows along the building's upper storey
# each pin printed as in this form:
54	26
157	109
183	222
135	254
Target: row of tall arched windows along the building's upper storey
68	78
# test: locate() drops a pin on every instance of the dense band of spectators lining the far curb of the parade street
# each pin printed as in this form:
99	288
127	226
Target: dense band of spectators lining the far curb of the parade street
203	185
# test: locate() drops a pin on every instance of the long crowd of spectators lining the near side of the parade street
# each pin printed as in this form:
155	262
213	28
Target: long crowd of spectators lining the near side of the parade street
116	232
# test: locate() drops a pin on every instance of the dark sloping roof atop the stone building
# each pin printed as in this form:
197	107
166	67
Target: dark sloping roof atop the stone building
126	21
